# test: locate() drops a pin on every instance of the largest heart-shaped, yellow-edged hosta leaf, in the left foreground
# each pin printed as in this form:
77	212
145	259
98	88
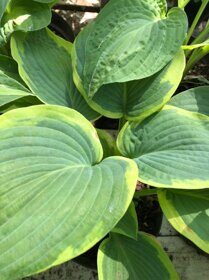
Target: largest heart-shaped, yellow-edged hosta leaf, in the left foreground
56	198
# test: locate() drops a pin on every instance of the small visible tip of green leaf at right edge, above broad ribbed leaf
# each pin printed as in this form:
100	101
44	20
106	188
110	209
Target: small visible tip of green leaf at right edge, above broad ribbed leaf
194	100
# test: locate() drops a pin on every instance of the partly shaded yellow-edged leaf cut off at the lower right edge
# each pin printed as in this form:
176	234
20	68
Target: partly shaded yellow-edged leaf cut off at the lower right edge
188	213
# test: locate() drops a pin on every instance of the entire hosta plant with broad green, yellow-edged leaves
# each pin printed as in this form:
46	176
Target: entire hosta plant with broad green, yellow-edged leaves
64	185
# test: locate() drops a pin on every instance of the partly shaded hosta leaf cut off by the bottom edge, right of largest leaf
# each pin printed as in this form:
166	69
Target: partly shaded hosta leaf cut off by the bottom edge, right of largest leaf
123	258
